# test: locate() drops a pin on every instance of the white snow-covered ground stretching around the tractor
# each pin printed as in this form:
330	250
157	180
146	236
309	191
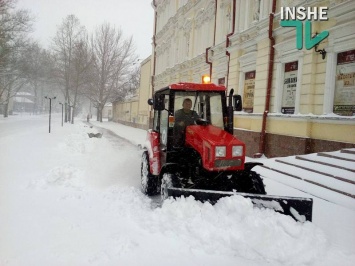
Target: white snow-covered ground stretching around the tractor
67	199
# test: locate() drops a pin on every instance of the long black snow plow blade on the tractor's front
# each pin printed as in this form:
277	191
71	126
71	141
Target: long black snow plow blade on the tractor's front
298	208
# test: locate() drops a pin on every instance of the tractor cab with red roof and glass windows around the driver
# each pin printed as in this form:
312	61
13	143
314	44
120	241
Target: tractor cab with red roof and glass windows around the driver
208	107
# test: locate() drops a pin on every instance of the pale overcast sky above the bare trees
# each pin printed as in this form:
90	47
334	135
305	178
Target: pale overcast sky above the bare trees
135	17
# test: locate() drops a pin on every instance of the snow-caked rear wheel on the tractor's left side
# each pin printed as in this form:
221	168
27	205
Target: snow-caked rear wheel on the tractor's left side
149	182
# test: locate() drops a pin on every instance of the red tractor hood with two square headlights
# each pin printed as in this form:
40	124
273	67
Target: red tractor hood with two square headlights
205	139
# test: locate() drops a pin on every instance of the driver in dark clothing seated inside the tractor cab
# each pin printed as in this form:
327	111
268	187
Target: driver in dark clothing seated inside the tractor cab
183	118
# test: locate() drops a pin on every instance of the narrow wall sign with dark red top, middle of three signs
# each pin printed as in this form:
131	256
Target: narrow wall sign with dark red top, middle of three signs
289	88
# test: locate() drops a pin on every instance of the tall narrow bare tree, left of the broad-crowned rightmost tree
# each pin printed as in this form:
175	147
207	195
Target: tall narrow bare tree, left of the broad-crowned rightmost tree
68	35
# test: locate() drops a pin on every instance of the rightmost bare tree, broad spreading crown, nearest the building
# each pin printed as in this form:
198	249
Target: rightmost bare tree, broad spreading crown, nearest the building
112	58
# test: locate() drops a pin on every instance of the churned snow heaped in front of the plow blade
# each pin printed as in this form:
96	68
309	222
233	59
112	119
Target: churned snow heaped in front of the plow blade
234	228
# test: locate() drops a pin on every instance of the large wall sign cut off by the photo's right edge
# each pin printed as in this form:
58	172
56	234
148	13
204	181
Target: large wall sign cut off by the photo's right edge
344	93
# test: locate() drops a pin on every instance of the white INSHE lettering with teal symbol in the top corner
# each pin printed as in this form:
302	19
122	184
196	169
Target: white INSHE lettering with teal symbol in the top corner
294	17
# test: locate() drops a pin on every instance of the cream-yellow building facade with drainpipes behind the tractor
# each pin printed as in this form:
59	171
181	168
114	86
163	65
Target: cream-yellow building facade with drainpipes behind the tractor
300	123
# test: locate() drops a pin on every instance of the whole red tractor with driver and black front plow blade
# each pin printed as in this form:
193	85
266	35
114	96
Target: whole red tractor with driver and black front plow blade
191	150
